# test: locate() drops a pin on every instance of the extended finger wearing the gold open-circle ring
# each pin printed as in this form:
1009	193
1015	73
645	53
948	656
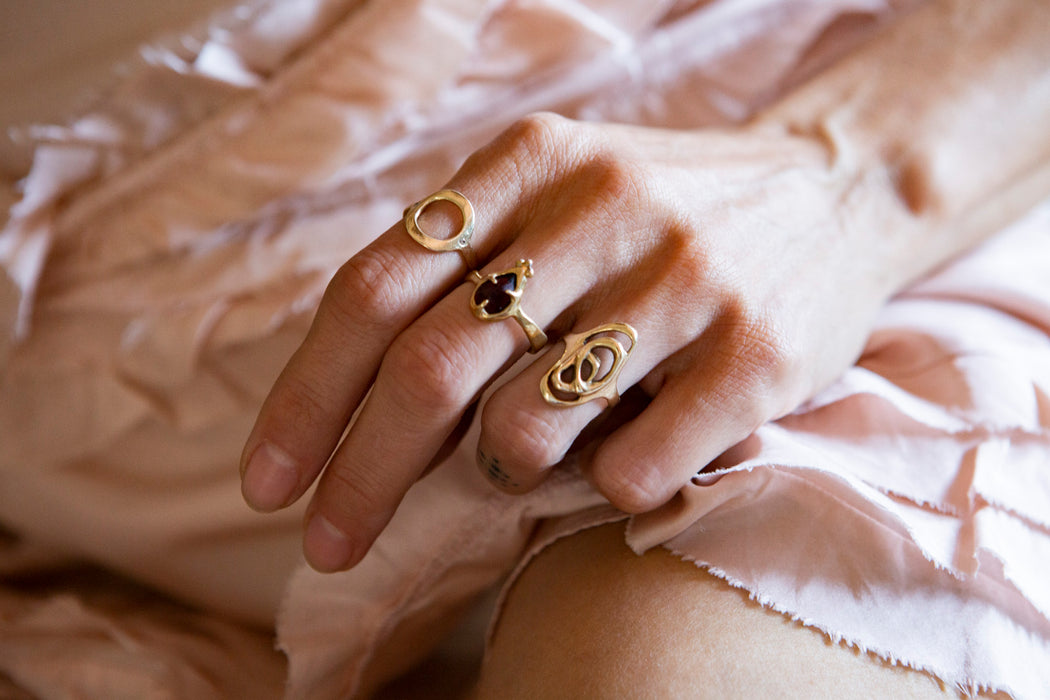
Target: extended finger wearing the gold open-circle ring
375	296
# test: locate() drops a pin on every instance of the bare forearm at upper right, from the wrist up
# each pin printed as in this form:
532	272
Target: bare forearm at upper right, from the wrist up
949	112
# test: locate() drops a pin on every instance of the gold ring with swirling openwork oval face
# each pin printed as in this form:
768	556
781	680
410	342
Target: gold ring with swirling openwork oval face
582	375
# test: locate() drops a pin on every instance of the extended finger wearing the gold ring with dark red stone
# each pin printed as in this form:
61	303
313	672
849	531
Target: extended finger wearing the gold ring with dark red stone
433	372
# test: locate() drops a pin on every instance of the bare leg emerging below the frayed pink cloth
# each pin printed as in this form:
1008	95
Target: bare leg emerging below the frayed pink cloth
589	619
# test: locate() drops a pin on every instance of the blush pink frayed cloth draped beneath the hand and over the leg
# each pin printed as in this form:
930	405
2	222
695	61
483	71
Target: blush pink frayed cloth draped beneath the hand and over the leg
170	247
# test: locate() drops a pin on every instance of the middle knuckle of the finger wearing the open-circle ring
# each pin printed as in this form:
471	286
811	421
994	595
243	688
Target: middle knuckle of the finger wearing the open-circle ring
368	289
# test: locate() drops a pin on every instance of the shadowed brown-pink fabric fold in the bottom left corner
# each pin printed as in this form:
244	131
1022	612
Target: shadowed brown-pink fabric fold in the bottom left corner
125	643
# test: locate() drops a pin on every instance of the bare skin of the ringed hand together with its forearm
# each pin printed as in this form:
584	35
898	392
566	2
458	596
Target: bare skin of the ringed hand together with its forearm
752	263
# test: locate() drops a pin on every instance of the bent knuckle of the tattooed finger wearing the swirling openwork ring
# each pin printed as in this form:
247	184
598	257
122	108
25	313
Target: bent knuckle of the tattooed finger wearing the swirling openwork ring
526	439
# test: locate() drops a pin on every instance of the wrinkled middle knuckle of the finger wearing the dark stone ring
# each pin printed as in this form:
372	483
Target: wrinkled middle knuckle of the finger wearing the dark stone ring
430	369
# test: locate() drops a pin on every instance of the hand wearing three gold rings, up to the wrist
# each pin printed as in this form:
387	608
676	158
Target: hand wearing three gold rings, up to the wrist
750	267
